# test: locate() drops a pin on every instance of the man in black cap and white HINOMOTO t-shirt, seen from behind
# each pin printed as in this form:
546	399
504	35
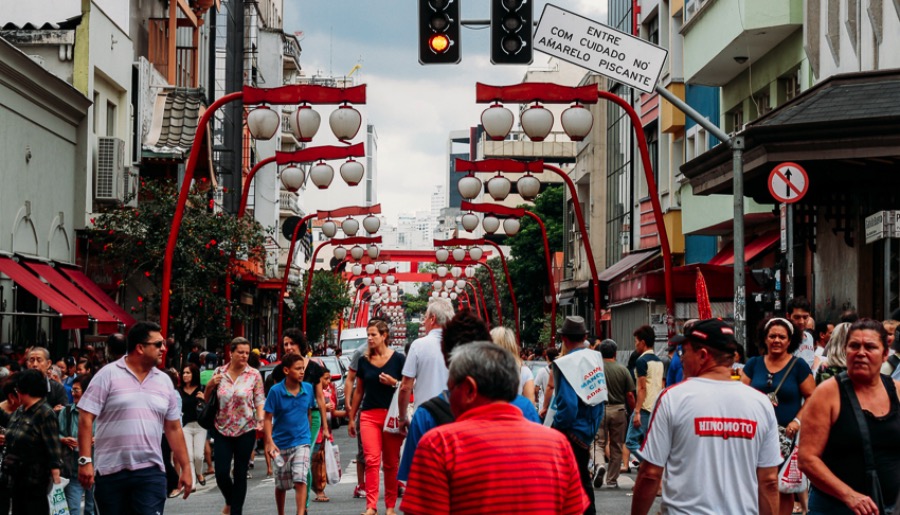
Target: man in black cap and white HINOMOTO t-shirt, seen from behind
712	441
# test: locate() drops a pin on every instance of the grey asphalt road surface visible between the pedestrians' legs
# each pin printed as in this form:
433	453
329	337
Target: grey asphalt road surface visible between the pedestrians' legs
260	492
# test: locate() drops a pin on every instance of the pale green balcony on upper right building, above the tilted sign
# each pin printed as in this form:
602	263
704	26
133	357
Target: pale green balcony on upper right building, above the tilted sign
723	37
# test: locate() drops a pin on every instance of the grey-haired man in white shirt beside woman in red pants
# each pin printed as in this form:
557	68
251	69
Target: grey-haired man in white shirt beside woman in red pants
425	371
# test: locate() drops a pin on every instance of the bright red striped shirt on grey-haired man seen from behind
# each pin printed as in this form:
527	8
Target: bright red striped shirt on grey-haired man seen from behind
491	460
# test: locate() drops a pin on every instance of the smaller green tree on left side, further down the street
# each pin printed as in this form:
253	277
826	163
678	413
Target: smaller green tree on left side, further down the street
329	296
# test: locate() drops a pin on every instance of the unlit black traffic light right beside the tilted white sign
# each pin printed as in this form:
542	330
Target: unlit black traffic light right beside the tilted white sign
512	25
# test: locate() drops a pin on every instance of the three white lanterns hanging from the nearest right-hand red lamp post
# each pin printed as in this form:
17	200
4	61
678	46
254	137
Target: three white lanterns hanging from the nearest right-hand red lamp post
537	122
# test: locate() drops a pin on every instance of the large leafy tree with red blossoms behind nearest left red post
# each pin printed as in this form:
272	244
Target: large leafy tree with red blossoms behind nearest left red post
133	240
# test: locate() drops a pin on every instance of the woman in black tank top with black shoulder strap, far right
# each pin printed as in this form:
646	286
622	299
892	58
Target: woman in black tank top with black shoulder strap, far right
831	448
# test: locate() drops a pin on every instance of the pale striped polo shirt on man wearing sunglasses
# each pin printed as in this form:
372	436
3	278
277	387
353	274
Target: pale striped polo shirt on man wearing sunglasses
130	417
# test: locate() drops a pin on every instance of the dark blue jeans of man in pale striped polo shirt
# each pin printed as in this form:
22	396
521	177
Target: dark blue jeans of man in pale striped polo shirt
133	492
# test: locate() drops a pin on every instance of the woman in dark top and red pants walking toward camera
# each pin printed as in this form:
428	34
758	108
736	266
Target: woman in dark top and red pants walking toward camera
378	376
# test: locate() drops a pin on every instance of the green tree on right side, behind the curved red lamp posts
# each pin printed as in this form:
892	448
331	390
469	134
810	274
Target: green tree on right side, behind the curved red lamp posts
528	266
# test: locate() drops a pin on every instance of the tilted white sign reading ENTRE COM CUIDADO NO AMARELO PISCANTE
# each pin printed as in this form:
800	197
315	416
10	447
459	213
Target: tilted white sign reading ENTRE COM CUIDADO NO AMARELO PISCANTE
599	48
